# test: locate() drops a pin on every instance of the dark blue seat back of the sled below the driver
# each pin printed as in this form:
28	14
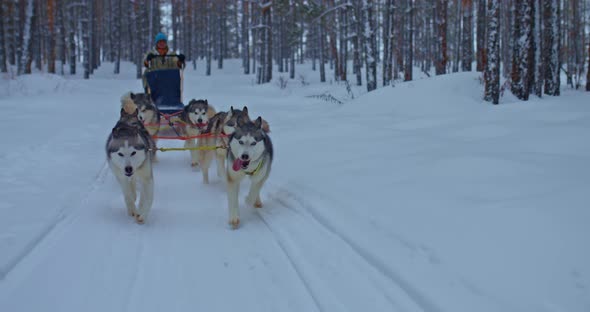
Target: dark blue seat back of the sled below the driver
165	89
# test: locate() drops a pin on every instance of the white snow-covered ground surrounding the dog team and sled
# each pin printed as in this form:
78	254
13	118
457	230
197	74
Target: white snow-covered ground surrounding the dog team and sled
418	197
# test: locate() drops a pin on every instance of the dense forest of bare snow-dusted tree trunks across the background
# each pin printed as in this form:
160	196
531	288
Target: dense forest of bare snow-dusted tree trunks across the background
528	43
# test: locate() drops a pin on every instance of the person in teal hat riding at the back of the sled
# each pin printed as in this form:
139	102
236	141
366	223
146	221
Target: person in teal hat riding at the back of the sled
161	58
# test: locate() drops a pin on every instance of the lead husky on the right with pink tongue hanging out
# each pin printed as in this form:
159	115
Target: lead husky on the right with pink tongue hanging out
250	152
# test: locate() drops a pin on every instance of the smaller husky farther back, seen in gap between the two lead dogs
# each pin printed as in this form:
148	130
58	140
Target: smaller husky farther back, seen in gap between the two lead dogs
196	116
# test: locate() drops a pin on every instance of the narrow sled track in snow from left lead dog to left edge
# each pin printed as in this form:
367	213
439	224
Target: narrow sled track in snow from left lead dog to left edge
63	215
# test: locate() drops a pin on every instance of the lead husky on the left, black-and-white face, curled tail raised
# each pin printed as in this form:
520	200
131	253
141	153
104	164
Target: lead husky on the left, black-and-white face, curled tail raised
129	150
